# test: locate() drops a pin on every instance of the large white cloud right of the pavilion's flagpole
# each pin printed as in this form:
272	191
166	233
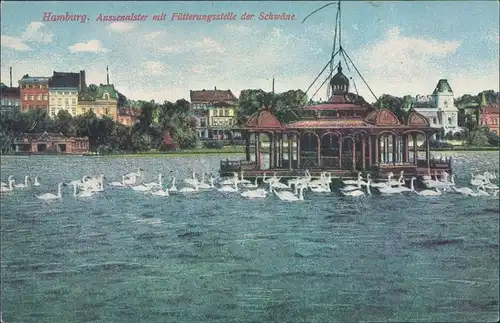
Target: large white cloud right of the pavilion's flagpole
400	64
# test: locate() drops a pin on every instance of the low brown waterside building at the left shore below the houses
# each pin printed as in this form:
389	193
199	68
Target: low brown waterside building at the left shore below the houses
51	143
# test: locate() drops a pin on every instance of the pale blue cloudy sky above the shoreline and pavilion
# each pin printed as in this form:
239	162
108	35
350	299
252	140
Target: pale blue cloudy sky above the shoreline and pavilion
399	47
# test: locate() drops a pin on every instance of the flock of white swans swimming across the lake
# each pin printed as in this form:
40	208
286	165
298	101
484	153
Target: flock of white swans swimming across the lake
293	190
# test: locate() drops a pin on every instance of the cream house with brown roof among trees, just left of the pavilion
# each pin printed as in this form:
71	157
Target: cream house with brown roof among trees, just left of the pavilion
215	113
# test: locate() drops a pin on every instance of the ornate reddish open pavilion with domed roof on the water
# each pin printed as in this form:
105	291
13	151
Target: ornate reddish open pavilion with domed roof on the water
344	136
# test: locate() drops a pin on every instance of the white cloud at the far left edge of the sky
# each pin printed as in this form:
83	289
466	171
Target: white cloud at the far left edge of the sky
34	33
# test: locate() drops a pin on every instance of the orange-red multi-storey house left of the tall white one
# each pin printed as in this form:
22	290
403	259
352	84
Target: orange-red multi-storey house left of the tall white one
34	93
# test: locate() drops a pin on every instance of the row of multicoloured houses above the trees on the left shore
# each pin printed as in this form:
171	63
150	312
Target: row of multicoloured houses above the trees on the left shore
66	91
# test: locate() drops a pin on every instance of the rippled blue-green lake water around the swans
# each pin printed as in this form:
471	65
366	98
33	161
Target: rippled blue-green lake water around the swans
124	256
